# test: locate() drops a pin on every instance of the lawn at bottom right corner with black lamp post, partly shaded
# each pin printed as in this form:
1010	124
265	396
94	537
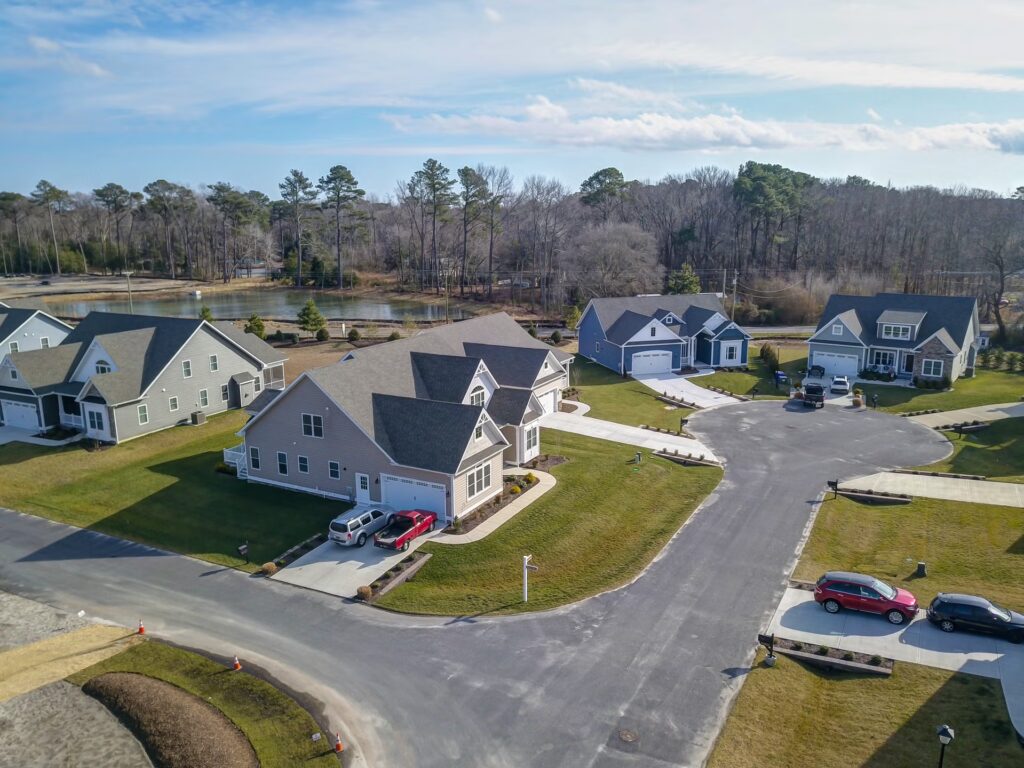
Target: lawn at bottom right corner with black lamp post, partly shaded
797	716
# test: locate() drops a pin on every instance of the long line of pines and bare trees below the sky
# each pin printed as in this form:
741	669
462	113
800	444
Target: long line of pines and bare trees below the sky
786	238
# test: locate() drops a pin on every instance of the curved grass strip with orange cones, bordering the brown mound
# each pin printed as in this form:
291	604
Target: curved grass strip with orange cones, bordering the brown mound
277	727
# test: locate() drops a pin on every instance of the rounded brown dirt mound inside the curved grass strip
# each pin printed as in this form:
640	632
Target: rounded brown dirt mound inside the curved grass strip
179	730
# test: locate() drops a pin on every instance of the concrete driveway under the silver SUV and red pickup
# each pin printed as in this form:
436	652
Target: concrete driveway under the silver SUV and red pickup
342	571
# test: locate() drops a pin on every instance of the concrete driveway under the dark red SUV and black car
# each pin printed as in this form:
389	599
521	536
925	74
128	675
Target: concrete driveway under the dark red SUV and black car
800	618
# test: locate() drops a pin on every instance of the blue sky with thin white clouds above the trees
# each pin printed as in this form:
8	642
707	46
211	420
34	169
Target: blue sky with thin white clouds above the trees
113	91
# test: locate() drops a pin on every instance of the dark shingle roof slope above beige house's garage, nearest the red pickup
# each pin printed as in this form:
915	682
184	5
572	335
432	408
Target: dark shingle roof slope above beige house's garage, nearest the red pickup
430	435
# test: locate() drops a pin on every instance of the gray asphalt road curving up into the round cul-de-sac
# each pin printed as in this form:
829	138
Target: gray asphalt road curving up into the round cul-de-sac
662	658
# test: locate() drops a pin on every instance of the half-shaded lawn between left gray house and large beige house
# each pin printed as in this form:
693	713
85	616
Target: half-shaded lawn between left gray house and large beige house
162	490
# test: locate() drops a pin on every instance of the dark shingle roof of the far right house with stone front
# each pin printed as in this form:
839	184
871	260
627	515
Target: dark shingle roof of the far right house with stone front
954	314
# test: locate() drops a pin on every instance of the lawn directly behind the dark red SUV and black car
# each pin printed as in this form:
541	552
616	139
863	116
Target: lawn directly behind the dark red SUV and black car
971	548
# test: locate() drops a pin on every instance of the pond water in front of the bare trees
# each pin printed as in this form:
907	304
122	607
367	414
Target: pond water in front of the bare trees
270	305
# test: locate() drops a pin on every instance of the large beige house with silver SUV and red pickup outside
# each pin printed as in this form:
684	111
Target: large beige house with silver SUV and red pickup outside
428	422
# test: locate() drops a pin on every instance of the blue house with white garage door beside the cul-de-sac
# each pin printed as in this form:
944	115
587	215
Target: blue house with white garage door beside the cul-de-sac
662	334
